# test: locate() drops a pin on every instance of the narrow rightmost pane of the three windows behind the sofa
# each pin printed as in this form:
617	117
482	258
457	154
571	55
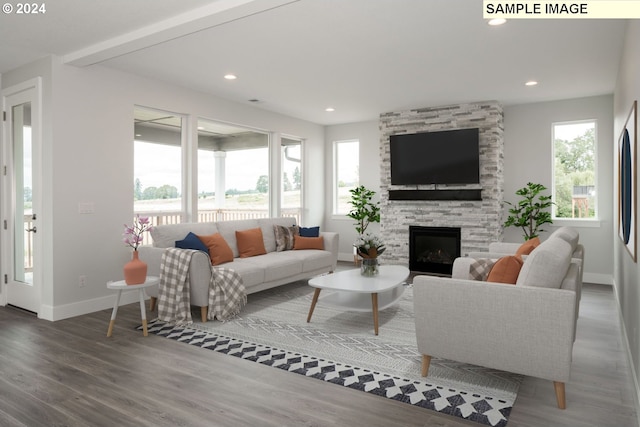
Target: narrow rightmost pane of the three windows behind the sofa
291	161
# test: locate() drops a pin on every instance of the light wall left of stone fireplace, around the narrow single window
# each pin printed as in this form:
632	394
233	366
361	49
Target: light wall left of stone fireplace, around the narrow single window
369	136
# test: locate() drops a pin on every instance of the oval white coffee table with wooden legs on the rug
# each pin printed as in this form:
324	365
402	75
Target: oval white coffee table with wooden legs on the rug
352	290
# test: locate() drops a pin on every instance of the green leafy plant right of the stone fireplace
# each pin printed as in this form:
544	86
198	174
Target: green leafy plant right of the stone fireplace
531	212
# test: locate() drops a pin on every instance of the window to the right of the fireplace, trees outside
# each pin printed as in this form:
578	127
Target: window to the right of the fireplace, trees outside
574	180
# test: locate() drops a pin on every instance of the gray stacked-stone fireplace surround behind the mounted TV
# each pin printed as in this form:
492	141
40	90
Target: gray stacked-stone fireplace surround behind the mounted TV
480	221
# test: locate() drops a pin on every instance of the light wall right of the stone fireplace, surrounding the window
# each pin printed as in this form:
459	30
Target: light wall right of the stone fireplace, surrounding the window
528	157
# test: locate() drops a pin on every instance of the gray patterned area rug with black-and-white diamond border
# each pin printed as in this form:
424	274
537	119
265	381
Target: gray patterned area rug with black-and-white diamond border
340	347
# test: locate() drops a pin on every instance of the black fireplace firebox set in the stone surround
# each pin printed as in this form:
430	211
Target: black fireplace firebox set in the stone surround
433	249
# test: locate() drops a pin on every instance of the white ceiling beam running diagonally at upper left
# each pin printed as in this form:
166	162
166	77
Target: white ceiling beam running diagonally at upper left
212	15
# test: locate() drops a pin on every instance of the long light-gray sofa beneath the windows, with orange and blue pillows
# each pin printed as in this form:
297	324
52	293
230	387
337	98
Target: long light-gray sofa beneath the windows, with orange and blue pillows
259	272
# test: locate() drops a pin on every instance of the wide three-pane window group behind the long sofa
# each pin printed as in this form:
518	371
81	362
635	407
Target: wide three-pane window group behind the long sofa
224	175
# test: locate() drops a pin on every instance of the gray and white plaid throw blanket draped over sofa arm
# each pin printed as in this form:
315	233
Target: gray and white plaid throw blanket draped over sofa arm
227	295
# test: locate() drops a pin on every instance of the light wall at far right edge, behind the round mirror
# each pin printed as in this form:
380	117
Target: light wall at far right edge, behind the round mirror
626	271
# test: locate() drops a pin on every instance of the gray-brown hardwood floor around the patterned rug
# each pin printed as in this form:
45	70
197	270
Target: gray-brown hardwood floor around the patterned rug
68	373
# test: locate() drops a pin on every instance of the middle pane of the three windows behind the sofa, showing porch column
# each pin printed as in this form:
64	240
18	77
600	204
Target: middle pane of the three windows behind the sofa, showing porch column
233	172
